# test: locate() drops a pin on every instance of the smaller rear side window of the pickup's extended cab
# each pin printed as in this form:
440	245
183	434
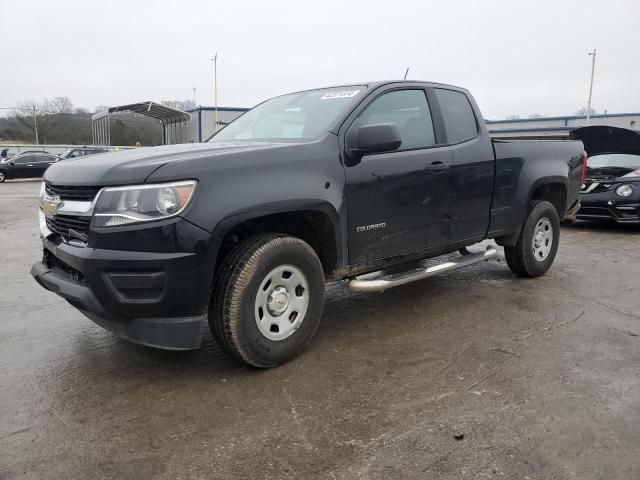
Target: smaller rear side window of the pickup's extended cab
459	120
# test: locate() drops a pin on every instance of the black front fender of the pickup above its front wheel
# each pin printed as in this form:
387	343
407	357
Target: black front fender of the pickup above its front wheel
241	186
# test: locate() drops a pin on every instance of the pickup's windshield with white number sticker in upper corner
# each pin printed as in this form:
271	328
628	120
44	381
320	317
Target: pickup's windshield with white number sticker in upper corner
297	116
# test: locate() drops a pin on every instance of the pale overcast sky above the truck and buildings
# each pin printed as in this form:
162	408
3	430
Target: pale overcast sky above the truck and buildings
515	59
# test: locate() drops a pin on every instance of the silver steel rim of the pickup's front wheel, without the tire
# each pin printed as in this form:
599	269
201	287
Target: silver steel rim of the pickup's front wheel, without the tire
281	302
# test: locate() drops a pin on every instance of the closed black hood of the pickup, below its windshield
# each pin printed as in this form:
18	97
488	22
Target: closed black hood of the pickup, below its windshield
135	165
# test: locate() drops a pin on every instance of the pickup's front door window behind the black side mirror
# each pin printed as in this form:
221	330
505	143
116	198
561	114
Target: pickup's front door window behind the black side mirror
406	109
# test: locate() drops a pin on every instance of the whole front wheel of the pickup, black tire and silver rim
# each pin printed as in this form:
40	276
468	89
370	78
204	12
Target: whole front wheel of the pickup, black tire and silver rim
267	300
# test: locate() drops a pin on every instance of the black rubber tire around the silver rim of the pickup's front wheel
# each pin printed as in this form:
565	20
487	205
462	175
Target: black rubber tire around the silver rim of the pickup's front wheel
233	310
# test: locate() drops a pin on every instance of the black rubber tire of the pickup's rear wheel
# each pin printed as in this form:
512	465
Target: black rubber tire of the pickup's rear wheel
521	258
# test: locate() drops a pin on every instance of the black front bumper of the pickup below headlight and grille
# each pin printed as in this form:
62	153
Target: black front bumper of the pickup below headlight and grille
157	299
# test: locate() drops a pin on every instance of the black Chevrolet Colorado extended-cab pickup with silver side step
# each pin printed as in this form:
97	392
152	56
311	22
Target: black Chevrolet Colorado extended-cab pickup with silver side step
307	188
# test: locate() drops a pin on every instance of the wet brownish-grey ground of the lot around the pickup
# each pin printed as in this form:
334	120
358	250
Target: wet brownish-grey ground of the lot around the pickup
542	377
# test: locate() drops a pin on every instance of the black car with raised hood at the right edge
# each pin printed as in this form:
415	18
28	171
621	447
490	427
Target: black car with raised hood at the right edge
611	191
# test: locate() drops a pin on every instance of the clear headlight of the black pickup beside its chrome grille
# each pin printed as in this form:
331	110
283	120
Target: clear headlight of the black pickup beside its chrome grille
117	206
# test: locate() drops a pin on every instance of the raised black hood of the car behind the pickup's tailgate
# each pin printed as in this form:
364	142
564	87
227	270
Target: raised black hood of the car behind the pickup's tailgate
599	140
